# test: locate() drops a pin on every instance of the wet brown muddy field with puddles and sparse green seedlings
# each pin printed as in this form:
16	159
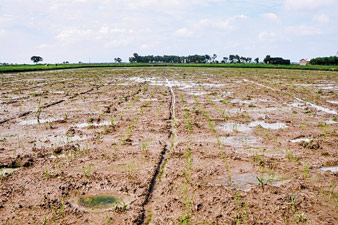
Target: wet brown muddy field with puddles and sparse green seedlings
169	146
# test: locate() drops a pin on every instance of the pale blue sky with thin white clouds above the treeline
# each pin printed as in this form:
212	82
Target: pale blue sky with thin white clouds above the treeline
99	31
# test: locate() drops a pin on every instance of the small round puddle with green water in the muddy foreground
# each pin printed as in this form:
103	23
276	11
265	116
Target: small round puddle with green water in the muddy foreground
98	201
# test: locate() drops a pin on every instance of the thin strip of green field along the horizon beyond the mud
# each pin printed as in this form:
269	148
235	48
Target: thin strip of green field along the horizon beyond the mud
23	68
